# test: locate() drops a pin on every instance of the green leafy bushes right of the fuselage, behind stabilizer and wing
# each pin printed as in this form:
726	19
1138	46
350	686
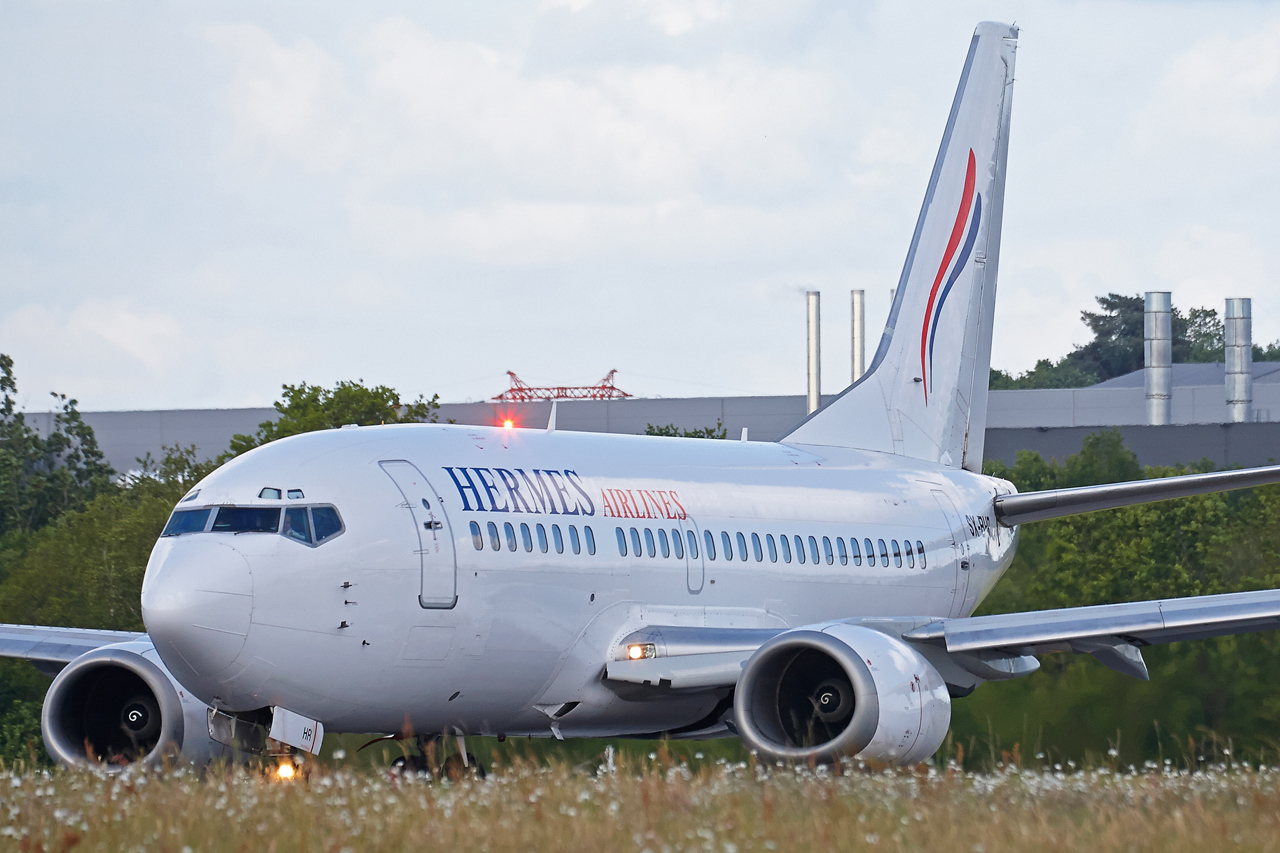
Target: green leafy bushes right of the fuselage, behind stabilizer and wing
1209	691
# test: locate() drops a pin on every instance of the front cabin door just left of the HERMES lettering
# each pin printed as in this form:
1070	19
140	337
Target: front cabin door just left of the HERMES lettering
436	549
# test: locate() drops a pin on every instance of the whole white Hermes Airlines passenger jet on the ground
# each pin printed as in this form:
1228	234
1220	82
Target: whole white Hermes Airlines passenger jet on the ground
812	596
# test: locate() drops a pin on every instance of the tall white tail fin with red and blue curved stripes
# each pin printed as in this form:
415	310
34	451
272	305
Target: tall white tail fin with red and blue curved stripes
926	391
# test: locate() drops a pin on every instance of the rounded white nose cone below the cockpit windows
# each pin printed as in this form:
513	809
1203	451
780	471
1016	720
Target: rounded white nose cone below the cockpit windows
196	605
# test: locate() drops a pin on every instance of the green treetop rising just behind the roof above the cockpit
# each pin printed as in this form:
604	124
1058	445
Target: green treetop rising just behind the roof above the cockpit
307	408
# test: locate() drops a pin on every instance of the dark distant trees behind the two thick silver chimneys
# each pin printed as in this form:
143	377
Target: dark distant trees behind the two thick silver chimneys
1117	348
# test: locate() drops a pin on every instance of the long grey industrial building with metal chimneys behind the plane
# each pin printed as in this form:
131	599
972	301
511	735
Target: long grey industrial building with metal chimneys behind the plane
1168	413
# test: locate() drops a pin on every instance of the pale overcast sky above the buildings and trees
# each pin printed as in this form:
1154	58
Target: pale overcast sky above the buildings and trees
203	202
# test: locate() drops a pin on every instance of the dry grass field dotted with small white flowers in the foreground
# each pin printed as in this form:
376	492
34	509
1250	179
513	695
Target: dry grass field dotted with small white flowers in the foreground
659	804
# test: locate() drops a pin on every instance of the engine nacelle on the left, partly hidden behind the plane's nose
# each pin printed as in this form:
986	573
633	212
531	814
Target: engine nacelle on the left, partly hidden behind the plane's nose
118	705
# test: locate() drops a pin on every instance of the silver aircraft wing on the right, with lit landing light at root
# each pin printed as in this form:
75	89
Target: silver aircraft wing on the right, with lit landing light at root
993	647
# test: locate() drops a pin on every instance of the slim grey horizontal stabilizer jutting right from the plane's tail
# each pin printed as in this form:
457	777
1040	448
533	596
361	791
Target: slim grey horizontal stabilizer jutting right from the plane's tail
1055	504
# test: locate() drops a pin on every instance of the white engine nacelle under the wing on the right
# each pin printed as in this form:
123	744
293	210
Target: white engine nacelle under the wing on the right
831	691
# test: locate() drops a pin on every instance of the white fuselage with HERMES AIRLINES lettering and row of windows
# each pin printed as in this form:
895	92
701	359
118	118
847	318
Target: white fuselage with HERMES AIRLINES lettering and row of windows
479	583
